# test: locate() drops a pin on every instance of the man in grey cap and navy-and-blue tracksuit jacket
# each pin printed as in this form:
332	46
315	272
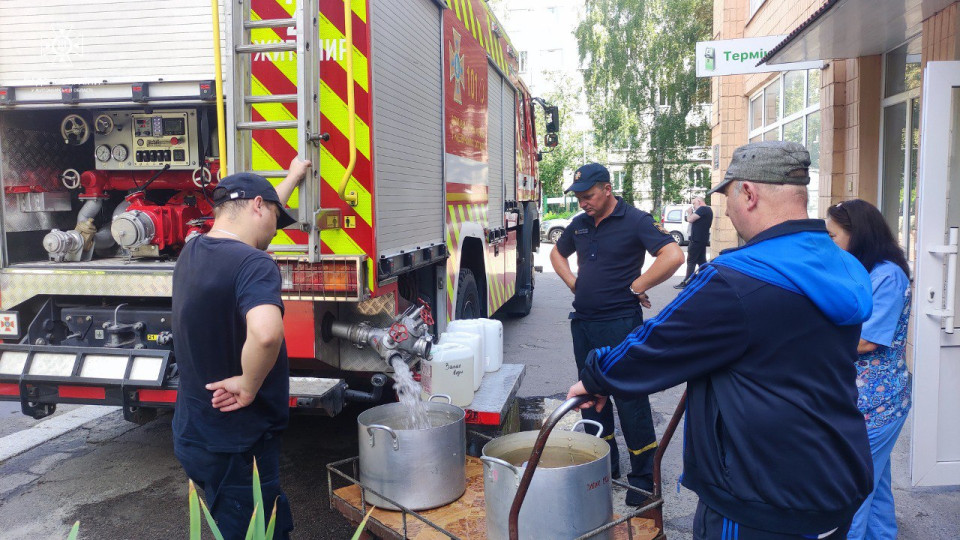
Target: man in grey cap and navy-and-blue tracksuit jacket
765	337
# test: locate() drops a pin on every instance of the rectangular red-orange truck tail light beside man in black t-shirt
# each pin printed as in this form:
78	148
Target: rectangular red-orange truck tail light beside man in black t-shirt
336	279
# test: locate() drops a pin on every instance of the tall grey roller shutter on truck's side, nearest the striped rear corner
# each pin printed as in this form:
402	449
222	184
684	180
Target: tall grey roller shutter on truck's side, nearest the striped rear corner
408	128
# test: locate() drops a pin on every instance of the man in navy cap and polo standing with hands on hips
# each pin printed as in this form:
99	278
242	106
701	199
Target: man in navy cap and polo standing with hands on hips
610	239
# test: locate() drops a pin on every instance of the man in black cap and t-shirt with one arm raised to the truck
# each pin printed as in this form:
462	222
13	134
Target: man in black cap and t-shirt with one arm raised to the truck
233	394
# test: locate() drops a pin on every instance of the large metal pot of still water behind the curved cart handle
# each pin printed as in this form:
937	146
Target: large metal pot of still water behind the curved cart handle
570	493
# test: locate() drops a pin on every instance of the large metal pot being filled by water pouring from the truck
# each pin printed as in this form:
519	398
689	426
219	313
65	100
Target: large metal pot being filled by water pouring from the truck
416	468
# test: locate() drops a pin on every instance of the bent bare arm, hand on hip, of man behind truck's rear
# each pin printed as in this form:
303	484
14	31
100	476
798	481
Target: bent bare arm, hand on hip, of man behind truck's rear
259	354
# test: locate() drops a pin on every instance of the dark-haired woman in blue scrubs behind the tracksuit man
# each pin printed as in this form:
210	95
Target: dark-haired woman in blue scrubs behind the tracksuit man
883	382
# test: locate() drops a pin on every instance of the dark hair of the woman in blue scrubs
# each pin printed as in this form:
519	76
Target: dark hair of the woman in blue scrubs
871	241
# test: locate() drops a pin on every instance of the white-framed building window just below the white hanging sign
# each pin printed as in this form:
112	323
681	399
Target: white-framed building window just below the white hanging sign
788	109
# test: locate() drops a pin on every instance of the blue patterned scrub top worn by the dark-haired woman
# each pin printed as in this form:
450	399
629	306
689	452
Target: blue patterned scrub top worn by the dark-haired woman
883	382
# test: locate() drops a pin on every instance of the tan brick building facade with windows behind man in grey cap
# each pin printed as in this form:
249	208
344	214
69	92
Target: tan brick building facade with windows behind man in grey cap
859	115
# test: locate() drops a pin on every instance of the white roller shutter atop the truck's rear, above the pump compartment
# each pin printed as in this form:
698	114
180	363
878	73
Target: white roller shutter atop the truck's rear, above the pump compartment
92	42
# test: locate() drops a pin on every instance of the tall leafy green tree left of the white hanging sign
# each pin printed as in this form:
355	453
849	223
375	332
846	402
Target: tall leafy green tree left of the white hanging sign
641	85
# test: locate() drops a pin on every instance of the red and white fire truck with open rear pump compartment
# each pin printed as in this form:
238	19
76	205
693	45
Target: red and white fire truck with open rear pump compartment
117	120
